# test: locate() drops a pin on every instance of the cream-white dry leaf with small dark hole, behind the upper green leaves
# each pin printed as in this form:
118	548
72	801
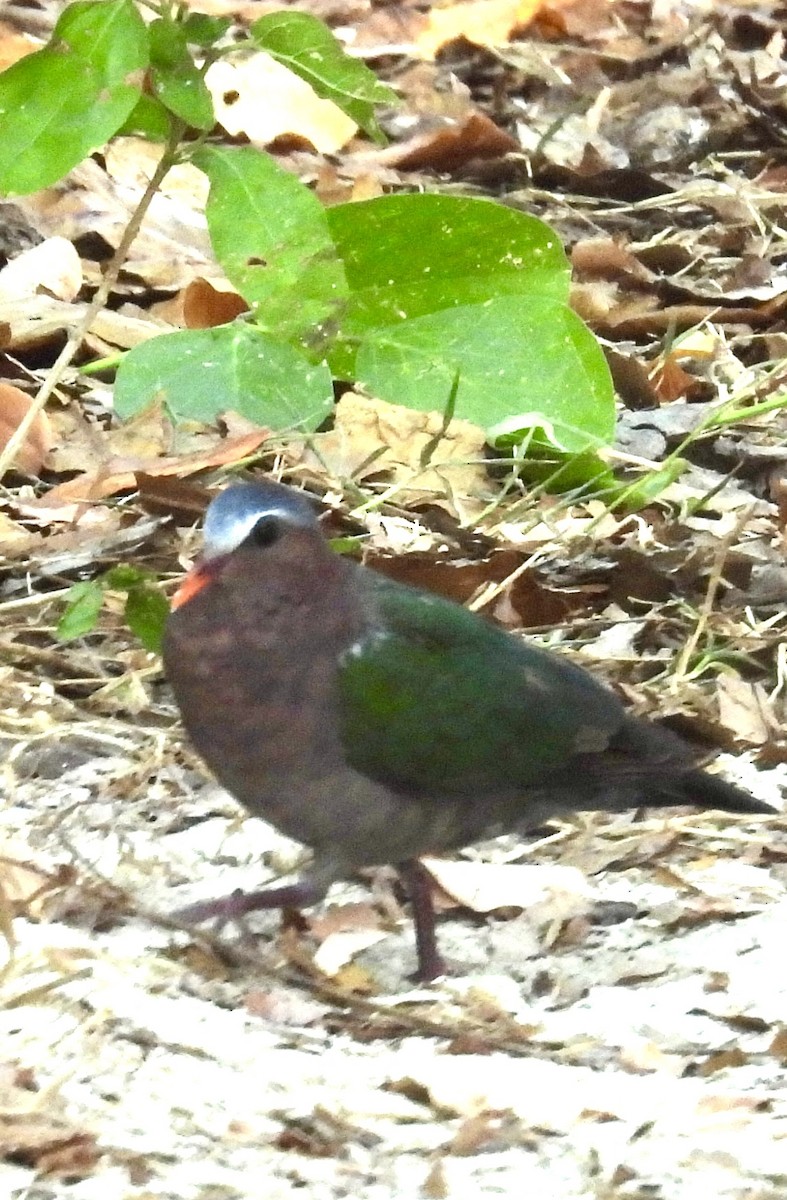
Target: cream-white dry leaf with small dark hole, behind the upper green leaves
260	98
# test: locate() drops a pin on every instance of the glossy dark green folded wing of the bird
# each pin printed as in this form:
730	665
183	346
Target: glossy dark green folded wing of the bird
437	701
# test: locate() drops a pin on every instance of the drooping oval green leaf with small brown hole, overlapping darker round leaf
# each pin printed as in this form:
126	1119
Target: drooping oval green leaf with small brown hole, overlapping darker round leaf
271	236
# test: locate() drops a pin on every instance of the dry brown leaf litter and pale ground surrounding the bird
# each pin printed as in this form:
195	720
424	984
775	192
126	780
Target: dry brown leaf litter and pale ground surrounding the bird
617	1028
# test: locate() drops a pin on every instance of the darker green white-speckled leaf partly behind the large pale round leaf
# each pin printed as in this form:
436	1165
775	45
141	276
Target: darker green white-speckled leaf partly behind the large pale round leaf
408	256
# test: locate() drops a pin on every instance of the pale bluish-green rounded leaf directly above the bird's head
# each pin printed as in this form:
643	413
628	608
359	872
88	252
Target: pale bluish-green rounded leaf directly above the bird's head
203	373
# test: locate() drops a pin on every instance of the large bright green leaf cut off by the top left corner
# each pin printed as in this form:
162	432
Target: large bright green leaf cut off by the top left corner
65	101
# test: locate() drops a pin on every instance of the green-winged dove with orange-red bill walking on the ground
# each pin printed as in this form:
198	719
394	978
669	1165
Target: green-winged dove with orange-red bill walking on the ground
377	723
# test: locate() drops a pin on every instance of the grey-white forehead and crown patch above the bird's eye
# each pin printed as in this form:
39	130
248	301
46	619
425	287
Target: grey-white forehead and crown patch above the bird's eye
235	513
